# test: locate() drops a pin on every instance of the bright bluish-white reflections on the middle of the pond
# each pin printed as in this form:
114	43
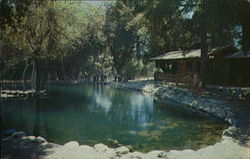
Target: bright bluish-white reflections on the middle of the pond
128	108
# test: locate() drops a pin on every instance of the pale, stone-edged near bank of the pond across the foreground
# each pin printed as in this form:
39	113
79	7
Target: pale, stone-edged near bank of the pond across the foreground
21	146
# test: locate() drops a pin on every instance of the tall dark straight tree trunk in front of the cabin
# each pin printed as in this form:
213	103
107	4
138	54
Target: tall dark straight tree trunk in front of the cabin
204	51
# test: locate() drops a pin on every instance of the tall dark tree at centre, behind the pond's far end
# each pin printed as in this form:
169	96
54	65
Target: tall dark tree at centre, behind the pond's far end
121	39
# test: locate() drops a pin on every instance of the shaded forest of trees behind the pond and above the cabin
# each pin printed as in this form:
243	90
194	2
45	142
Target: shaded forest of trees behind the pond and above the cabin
61	40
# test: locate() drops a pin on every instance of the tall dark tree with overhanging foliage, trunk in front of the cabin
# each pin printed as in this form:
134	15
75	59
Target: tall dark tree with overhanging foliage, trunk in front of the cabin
217	22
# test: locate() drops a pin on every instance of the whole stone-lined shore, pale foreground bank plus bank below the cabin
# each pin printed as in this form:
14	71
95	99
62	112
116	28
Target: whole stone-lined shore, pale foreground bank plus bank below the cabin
230	146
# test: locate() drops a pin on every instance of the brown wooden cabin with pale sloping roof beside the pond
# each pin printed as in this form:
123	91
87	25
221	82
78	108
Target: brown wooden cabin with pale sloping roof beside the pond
226	66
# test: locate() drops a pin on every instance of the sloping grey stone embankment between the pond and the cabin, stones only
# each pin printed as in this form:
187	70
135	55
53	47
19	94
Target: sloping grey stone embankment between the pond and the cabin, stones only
183	97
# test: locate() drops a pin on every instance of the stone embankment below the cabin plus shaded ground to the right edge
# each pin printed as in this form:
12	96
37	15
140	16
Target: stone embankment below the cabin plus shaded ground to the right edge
230	112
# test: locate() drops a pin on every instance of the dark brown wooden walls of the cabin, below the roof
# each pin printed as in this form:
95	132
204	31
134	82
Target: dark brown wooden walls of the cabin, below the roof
233	72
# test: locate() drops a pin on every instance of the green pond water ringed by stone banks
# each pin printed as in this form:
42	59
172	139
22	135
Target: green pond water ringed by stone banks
92	114
